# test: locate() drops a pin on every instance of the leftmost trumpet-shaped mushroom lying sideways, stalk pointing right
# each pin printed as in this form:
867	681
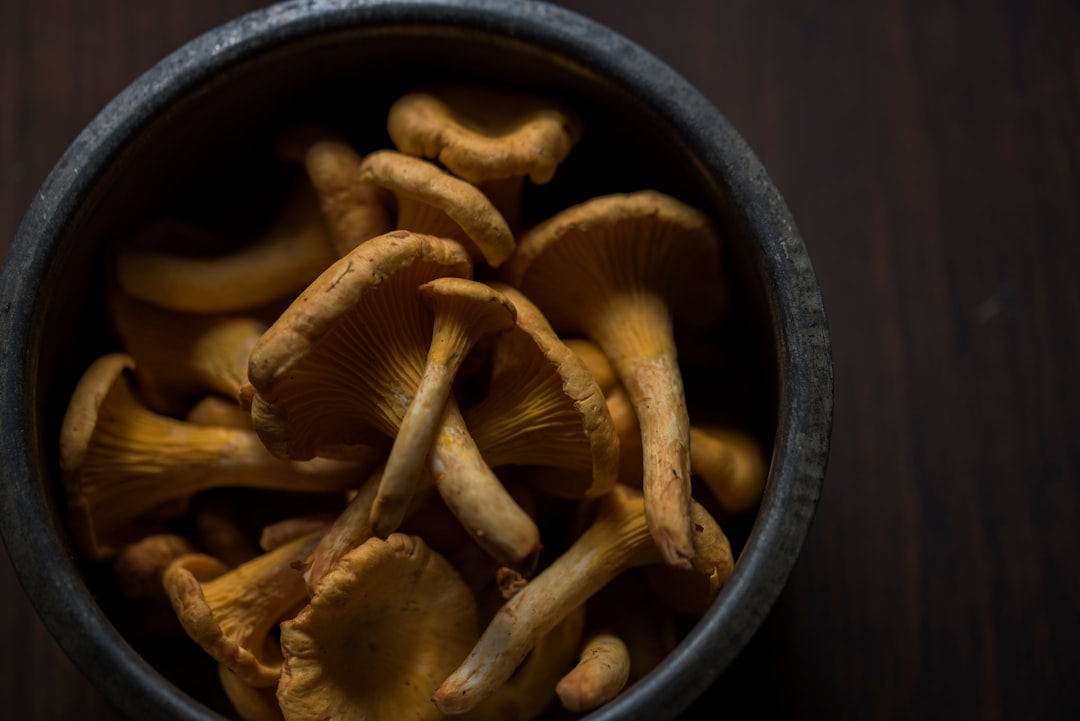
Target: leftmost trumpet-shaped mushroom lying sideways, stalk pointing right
128	470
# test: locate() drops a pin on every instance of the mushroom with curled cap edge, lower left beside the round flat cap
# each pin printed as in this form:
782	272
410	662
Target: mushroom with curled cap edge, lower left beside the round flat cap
233	615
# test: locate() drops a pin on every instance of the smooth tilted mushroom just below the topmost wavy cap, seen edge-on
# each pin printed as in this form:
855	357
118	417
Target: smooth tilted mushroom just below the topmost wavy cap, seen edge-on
435	202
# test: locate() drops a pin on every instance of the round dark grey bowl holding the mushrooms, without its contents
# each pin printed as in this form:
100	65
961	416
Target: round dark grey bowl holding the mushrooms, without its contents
214	105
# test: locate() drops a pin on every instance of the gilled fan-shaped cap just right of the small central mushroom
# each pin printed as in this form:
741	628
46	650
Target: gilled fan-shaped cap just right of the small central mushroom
545	409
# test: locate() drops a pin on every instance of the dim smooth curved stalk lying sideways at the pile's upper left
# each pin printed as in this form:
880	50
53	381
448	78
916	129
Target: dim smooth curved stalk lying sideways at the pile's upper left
290	253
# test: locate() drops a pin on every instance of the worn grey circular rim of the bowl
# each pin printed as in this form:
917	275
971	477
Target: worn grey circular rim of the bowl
804	357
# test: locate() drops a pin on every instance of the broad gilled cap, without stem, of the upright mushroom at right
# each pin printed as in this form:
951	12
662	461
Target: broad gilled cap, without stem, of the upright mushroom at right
617	248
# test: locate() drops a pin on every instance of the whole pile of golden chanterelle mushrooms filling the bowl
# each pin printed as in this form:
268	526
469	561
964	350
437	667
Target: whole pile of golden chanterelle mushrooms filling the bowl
515	508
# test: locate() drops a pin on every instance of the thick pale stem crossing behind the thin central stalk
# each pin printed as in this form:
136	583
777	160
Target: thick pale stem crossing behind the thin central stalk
477	497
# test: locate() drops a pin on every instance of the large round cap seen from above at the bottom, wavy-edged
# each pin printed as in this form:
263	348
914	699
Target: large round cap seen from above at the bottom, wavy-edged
383	629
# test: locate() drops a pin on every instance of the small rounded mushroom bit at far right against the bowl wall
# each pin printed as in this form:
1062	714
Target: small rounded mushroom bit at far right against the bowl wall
732	465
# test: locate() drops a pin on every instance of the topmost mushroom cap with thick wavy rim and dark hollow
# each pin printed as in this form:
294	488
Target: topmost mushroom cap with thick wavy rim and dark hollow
485	133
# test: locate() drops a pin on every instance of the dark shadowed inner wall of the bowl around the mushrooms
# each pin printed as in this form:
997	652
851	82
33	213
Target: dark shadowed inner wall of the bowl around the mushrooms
205	155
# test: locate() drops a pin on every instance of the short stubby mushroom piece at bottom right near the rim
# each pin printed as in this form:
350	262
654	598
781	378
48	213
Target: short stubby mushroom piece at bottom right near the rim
601	675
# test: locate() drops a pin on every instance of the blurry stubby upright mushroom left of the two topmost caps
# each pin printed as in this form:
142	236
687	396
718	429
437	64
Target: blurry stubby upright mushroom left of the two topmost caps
355	211
